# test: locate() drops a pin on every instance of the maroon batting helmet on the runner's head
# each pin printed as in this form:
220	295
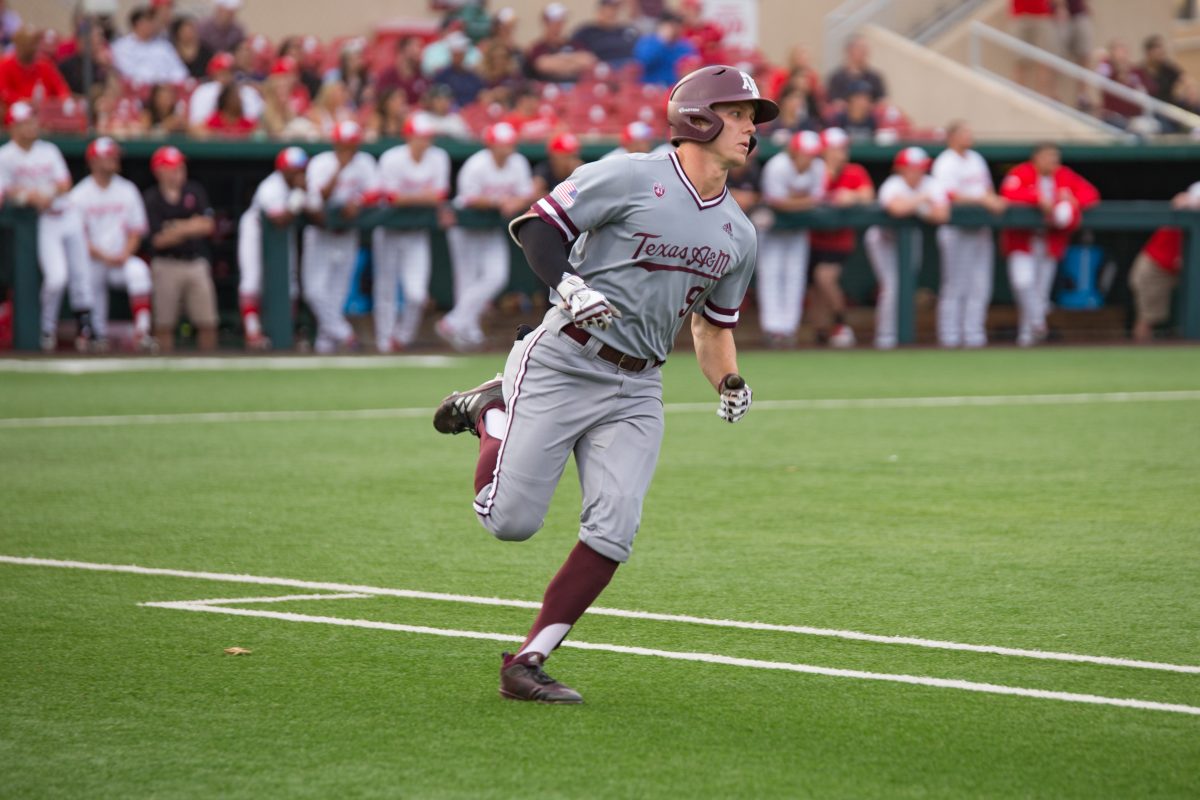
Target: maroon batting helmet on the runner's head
697	94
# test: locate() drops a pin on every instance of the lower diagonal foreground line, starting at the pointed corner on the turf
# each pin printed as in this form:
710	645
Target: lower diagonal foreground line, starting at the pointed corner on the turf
704	658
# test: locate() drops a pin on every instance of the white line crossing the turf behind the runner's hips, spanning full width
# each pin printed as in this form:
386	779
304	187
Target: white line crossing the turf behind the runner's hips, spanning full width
961	401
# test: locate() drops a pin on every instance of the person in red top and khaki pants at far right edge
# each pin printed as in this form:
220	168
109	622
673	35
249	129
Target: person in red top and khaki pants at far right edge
1156	272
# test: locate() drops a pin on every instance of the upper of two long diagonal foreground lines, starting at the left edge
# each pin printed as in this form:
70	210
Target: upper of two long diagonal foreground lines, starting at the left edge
355	590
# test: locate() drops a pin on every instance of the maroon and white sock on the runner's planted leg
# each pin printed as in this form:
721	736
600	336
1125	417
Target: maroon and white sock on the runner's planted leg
579	582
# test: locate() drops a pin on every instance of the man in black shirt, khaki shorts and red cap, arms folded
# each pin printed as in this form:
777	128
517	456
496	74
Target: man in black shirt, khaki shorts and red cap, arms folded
181	226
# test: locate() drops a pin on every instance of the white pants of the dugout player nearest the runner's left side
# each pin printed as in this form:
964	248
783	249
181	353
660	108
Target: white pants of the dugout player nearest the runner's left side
481	264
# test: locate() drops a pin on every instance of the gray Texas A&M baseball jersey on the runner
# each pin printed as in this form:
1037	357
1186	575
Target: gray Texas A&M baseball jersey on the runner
645	238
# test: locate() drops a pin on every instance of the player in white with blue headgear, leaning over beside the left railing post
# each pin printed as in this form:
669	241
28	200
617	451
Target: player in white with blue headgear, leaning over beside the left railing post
281	197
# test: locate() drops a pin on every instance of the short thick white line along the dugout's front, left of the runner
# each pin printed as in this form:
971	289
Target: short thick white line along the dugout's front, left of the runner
227	364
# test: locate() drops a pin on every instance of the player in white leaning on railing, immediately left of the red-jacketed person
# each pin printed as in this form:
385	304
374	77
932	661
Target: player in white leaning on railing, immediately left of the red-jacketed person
968	254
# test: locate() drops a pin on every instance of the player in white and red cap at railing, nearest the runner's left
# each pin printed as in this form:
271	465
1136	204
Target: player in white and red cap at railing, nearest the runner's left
500	179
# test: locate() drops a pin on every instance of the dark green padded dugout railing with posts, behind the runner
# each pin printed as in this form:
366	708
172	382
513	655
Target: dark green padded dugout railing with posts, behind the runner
278	308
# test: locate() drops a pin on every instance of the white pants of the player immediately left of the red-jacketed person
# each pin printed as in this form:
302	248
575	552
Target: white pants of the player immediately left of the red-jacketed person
968	264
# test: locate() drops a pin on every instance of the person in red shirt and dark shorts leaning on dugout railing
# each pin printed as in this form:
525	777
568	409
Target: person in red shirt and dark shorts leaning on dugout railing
847	185
